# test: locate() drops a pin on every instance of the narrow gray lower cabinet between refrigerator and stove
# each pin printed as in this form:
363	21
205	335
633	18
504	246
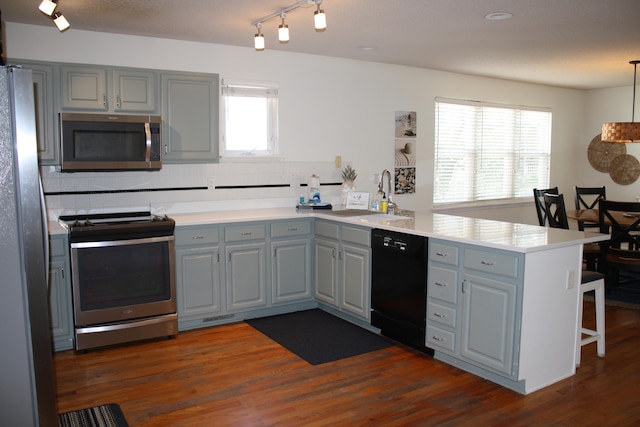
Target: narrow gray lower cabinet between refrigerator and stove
60	293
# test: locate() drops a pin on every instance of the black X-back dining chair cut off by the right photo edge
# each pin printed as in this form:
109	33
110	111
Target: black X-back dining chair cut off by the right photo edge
621	253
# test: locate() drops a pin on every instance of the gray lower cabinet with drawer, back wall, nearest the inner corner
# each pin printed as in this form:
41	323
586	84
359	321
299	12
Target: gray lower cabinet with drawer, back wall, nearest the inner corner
290	260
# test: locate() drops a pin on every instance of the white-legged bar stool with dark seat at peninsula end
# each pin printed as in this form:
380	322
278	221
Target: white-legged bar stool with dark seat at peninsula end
591	281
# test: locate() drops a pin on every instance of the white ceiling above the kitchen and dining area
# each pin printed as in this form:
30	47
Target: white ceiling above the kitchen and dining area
582	44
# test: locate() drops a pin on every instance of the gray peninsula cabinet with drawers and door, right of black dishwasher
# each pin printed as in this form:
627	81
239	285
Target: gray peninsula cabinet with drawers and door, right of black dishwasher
473	297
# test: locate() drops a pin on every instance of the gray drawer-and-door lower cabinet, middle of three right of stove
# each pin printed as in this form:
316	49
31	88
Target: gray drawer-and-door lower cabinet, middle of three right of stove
246	266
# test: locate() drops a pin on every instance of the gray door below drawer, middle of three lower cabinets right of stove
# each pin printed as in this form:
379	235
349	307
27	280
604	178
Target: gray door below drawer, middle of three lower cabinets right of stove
246	276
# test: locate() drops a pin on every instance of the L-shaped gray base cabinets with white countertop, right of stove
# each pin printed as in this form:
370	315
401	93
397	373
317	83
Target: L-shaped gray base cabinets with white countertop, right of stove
510	305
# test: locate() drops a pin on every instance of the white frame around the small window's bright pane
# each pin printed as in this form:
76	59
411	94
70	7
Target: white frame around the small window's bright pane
250	89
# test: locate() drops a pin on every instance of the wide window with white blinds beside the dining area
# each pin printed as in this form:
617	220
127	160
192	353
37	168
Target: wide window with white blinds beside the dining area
489	152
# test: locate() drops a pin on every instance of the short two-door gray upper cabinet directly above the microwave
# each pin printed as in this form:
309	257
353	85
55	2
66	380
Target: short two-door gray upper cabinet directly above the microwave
108	89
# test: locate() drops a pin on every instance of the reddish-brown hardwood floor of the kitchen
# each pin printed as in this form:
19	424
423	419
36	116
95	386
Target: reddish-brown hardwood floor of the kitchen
234	376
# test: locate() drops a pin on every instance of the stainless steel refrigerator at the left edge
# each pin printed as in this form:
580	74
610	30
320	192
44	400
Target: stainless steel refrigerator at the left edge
27	389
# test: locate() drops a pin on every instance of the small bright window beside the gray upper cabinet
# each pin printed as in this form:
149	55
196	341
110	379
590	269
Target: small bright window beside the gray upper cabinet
250	125
